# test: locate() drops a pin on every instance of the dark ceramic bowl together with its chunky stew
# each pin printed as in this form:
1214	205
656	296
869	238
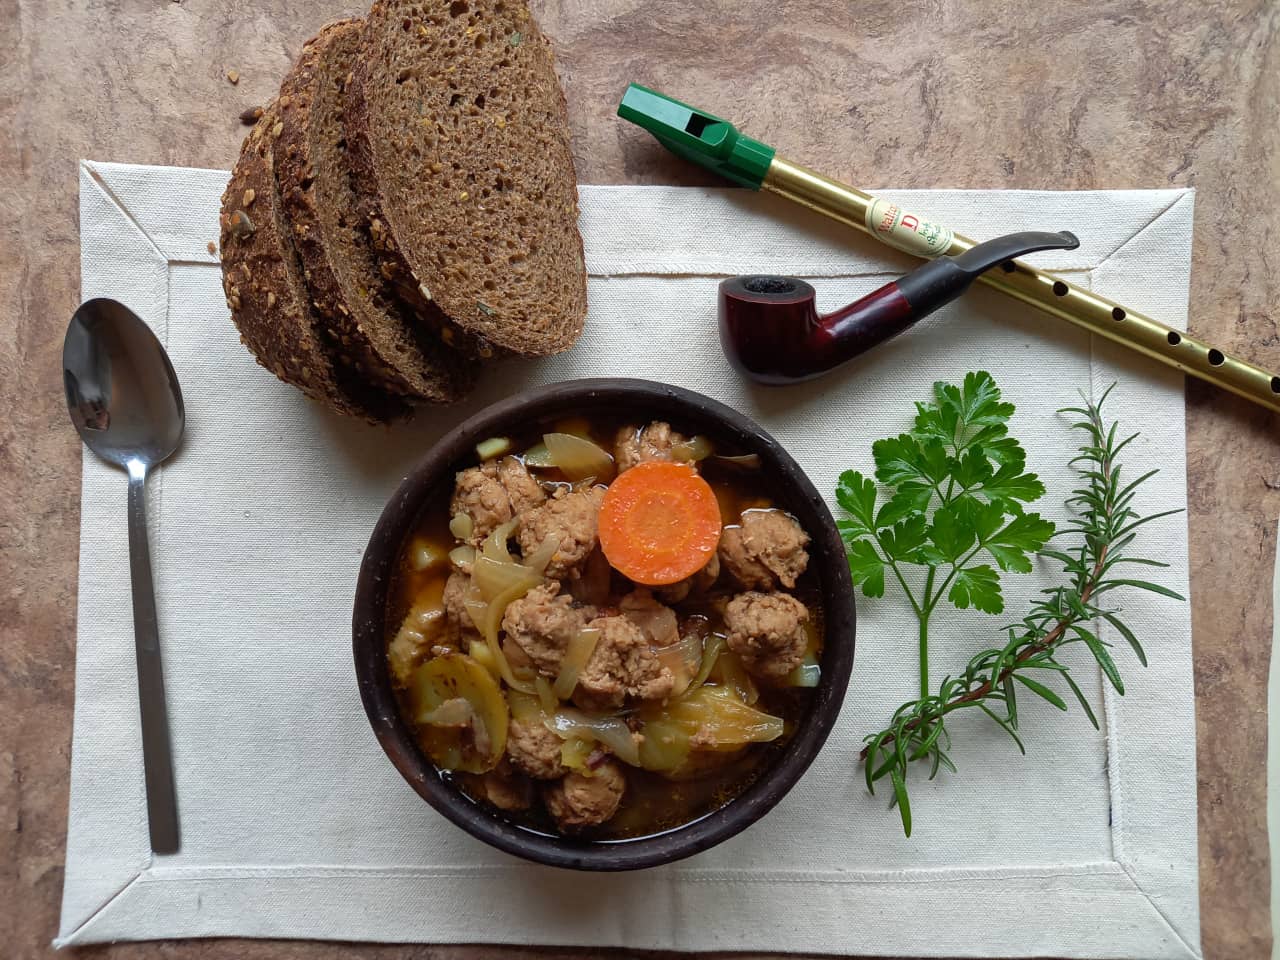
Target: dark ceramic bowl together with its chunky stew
564	705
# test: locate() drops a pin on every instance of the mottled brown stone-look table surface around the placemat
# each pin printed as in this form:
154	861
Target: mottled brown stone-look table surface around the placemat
1105	94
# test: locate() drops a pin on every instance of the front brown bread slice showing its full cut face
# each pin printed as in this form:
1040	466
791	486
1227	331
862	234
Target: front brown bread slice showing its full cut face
461	154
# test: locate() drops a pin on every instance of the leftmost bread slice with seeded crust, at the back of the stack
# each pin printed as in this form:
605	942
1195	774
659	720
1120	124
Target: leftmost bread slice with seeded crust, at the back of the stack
268	299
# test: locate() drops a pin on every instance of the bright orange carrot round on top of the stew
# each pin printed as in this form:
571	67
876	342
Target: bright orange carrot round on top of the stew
660	523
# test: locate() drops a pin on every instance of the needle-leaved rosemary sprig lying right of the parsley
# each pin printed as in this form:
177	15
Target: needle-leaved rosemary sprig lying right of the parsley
1105	527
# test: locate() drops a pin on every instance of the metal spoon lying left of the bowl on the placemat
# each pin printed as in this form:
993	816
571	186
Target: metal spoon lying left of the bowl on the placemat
125	401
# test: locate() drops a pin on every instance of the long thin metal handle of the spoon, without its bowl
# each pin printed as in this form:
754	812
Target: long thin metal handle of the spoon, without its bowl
157	760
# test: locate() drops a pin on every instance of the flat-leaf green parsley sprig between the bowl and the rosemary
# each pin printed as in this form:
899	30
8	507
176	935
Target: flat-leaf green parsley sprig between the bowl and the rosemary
958	487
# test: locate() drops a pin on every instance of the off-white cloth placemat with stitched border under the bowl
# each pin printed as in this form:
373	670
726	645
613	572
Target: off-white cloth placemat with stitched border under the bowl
295	825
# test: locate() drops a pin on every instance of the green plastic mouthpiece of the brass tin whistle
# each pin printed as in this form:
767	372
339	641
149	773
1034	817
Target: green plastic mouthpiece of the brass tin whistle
698	136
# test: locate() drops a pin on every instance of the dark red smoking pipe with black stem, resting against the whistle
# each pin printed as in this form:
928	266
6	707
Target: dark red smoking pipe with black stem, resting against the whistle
772	332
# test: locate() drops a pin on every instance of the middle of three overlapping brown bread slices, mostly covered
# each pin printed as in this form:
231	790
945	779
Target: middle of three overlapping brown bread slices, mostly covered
404	355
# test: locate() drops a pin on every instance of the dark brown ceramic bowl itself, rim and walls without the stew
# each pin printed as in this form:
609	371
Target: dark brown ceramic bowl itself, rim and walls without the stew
431	482
